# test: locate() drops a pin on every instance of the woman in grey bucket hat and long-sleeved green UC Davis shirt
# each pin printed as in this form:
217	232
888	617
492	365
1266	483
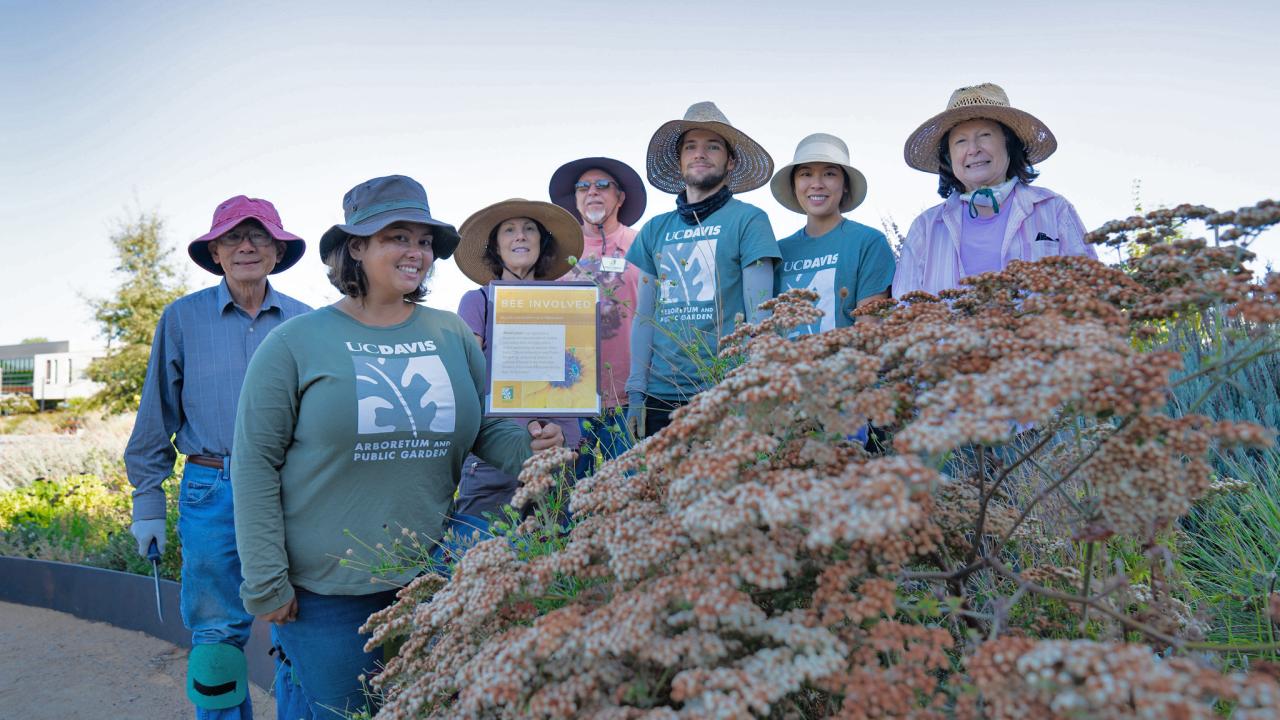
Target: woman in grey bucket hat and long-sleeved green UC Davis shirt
354	422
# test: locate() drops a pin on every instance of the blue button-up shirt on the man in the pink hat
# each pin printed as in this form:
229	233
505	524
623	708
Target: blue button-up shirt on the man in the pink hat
202	349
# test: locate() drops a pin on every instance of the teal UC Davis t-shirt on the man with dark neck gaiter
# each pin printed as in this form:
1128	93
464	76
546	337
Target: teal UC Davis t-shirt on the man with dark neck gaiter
700	271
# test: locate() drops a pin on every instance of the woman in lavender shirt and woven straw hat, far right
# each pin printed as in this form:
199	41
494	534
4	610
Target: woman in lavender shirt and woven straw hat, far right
984	152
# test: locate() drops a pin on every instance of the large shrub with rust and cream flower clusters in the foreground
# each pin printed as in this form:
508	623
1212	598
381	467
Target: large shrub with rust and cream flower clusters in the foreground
752	560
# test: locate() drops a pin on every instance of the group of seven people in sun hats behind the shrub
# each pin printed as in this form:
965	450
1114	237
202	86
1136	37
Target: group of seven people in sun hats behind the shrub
367	416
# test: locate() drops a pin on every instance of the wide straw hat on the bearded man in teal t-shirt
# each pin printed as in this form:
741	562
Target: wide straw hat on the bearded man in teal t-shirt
753	166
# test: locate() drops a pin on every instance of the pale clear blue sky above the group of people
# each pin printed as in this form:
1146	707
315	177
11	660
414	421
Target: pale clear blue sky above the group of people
175	107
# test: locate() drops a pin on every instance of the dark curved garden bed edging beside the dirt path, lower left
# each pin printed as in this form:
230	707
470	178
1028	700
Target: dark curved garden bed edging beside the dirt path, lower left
122	600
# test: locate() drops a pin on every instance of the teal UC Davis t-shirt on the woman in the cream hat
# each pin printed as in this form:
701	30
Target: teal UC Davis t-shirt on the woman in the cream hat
844	267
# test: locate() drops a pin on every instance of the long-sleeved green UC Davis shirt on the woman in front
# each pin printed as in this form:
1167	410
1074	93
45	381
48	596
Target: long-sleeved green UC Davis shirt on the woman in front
348	434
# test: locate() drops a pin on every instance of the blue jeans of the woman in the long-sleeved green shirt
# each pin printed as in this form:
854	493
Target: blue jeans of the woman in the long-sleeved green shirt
327	651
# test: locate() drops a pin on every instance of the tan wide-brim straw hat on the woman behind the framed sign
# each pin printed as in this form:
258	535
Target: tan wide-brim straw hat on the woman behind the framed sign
565	230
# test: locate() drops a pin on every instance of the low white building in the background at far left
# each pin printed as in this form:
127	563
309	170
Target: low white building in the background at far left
47	372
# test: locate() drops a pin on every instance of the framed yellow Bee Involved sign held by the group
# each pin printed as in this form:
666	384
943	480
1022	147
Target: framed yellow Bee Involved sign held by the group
543	350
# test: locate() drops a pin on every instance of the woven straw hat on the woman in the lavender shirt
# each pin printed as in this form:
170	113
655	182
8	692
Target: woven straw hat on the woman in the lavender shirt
988	102
